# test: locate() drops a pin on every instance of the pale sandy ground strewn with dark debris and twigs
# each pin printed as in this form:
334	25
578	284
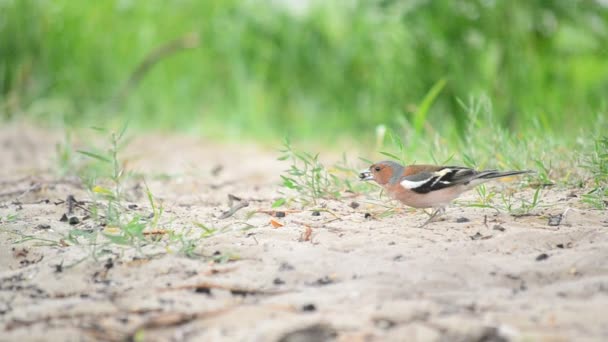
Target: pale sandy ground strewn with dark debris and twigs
476	276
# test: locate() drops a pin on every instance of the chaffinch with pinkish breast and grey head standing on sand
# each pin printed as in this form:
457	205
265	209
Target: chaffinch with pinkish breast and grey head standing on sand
429	186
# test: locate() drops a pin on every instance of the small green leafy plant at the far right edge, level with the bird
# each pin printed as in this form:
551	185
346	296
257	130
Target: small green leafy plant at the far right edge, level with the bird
596	163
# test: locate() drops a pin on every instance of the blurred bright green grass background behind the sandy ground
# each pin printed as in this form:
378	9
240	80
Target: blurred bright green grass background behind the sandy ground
311	69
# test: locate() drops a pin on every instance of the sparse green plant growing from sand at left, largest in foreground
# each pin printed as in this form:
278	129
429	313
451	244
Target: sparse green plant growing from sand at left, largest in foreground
107	180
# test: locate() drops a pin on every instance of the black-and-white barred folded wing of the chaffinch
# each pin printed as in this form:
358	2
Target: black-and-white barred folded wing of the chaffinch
426	178
